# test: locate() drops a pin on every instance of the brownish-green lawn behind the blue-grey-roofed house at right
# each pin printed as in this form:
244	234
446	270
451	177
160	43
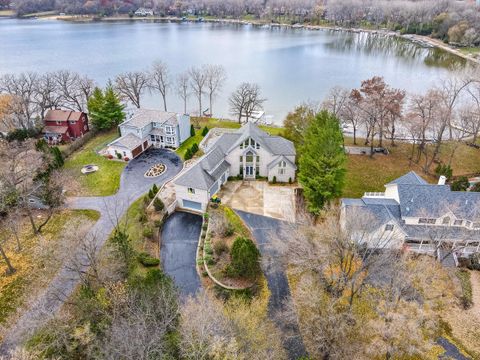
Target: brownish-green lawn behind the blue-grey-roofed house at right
367	174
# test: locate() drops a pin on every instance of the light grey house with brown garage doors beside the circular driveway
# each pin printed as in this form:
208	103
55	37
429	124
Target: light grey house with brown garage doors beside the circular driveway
147	128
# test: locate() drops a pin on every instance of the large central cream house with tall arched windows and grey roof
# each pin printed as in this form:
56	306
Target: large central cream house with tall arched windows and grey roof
249	152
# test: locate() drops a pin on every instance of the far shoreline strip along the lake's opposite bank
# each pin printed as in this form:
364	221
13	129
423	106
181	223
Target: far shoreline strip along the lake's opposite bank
420	40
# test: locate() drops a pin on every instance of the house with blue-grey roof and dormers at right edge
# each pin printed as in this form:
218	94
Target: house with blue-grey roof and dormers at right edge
416	215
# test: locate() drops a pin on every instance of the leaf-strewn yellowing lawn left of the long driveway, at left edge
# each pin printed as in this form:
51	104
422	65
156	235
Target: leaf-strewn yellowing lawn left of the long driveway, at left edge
39	259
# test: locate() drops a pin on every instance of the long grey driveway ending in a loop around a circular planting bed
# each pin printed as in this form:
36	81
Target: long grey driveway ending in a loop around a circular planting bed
132	185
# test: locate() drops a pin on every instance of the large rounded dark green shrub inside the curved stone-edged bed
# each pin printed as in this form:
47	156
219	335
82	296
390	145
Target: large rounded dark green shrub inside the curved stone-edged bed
245	258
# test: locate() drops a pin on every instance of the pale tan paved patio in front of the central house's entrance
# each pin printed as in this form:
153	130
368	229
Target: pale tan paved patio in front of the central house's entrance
261	198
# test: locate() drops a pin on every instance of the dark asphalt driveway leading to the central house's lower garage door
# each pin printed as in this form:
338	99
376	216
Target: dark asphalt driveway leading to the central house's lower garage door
179	239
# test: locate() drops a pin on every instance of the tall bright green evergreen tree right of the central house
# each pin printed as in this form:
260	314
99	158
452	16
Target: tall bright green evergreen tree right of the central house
322	161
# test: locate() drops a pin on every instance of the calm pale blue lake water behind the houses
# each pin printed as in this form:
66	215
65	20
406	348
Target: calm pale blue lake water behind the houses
290	65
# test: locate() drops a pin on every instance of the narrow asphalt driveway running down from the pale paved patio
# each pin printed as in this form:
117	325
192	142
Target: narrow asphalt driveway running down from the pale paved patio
267	231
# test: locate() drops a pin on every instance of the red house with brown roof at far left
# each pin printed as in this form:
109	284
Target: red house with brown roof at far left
64	125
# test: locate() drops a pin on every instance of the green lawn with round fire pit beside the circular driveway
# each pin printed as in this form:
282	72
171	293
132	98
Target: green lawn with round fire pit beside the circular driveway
106	180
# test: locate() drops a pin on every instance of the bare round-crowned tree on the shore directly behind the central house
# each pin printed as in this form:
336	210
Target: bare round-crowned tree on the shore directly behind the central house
245	100
